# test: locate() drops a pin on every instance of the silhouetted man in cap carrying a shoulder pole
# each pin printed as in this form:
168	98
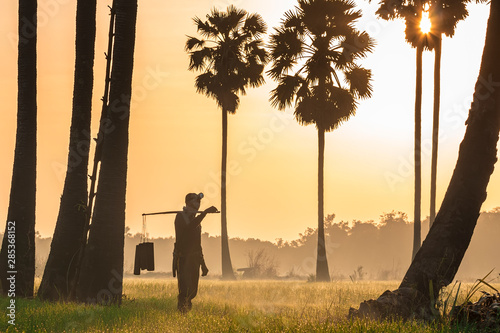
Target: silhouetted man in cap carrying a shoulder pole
188	255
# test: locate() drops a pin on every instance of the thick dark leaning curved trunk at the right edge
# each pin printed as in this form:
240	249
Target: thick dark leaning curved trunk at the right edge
437	262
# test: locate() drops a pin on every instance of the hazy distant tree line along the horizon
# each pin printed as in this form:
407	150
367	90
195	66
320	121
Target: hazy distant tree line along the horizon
382	248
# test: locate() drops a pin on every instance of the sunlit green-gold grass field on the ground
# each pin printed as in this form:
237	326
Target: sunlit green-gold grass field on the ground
239	306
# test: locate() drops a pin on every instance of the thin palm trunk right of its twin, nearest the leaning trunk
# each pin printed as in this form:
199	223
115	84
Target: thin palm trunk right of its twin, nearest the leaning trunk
435	128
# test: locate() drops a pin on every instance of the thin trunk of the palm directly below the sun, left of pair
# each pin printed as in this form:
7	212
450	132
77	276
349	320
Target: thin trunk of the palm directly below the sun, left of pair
418	154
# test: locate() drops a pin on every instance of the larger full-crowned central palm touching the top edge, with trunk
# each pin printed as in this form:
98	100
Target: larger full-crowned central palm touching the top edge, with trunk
317	40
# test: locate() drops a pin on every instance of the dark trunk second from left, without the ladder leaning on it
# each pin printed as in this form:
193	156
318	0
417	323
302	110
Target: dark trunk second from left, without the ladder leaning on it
66	242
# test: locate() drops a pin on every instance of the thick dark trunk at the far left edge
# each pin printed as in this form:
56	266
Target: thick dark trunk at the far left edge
21	212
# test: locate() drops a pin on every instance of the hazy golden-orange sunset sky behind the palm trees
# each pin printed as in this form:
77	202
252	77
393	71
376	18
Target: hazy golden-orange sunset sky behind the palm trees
175	133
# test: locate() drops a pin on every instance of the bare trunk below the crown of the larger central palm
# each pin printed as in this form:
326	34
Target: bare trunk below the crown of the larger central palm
322	272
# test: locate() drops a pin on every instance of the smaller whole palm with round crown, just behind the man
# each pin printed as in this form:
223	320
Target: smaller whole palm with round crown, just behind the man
231	57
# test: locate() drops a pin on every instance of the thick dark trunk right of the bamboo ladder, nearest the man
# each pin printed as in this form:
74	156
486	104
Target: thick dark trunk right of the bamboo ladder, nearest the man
101	277
